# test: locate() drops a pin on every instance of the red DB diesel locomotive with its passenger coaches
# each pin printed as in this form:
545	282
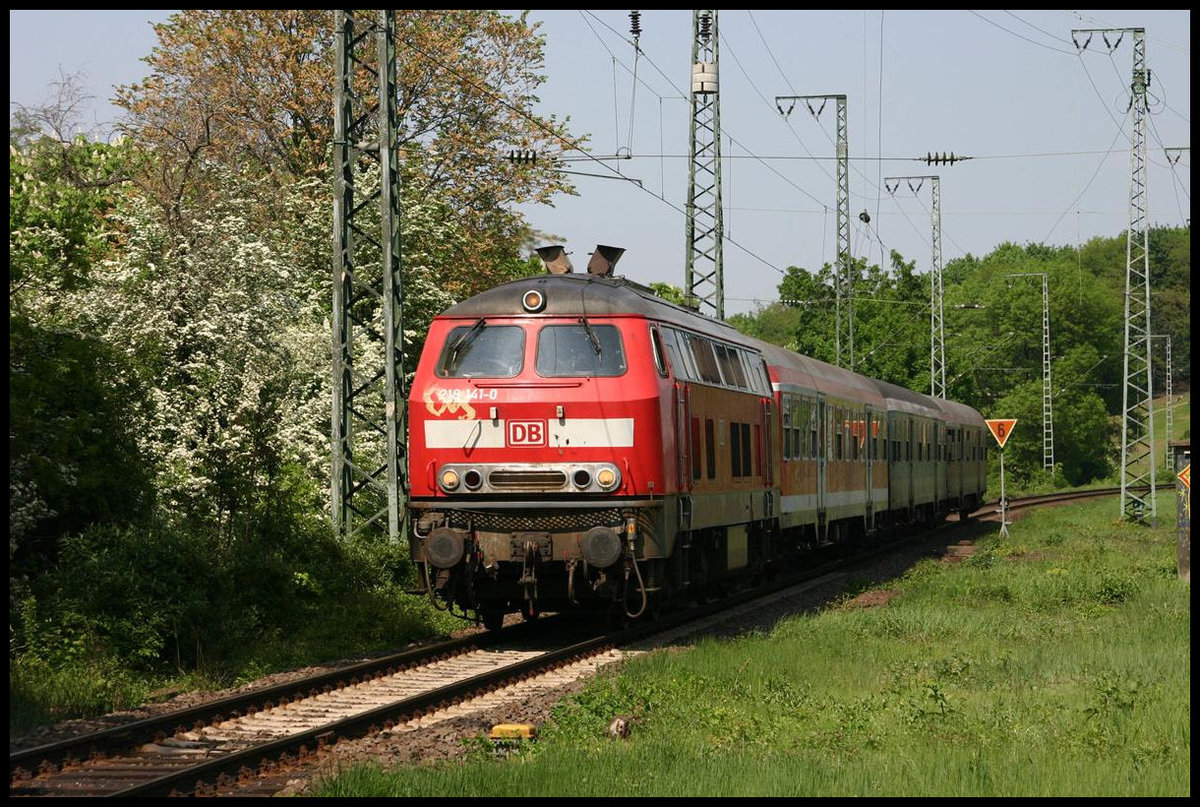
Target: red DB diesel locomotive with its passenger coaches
578	443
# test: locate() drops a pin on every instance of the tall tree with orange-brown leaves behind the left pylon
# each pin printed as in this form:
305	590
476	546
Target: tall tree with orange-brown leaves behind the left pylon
254	89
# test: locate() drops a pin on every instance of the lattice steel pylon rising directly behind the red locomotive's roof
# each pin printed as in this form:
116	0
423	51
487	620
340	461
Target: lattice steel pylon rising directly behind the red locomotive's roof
705	283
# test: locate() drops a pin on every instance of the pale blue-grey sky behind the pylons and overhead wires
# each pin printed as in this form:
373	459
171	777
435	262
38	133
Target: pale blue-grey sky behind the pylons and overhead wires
1043	119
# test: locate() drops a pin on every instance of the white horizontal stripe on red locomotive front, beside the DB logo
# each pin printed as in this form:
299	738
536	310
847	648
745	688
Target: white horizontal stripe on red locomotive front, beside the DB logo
572	433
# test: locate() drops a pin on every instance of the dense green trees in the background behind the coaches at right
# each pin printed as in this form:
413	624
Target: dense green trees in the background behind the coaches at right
994	346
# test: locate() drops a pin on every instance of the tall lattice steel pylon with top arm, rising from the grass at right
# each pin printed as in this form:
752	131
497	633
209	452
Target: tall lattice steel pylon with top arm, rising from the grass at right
1137	407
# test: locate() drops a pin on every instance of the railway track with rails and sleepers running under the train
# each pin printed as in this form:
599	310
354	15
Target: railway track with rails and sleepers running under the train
248	744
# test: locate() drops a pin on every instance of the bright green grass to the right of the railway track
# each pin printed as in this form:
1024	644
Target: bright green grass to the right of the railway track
1053	663
